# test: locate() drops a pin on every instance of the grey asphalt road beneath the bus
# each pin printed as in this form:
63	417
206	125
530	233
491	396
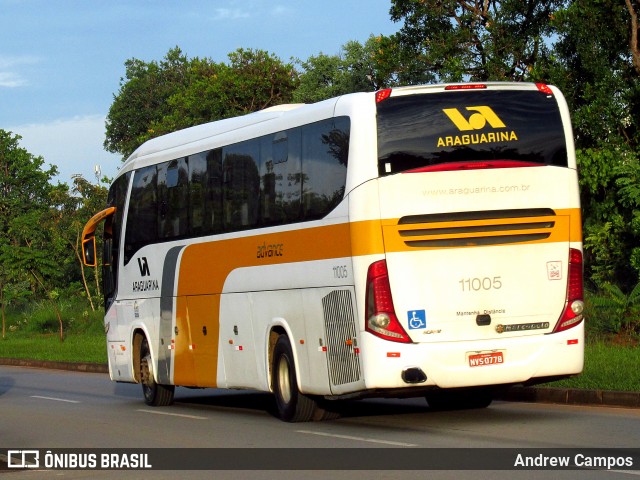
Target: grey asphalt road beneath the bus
51	409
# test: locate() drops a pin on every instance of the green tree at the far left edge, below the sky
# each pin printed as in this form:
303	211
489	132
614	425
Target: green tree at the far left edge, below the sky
25	247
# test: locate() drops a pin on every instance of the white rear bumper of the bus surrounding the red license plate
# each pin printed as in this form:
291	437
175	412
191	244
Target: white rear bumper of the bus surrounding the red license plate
446	364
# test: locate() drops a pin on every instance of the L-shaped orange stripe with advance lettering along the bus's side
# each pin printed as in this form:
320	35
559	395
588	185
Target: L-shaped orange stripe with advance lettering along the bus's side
204	268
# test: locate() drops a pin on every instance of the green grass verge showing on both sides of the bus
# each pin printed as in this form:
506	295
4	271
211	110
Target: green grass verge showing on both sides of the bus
32	333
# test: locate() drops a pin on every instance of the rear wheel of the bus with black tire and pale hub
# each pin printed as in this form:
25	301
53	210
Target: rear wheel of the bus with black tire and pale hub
293	406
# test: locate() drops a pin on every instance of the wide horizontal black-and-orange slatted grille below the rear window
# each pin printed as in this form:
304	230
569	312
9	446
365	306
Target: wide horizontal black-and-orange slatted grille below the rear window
490	227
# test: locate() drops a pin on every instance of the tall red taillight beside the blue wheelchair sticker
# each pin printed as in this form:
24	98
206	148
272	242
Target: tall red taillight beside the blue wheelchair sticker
381	317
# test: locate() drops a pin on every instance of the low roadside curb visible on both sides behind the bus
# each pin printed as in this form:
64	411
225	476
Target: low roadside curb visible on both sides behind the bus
562	396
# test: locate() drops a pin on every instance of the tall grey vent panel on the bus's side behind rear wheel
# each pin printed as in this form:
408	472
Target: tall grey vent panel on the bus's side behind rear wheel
340	333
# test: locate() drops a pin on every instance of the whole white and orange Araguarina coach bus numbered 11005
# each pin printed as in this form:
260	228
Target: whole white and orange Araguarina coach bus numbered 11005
415	241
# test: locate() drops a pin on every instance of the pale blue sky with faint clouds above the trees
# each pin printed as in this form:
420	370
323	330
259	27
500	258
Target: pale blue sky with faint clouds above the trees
61	61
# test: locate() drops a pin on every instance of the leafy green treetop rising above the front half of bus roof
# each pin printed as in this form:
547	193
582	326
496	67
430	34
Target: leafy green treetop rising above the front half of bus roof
158	98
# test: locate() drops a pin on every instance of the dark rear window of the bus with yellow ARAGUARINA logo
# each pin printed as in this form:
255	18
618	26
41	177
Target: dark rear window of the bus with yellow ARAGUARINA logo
418	131
